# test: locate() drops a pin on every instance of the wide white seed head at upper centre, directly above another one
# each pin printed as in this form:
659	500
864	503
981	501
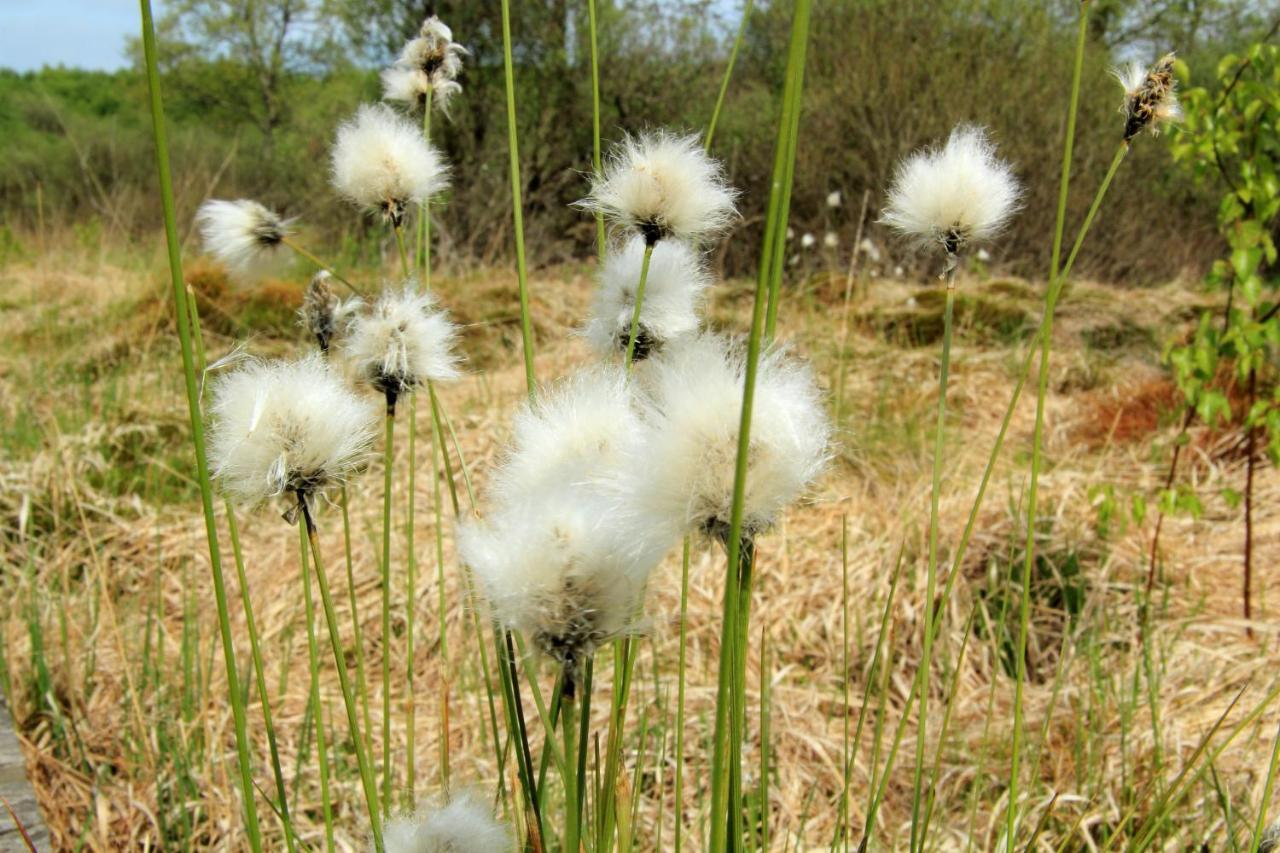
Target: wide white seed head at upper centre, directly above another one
661	185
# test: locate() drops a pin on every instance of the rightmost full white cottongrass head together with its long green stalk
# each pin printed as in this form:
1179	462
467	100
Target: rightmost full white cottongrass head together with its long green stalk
947	199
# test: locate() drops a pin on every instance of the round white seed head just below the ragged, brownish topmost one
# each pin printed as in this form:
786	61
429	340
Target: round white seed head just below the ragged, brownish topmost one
381	162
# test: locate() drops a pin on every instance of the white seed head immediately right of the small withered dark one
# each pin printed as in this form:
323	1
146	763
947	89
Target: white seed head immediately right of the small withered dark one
403	343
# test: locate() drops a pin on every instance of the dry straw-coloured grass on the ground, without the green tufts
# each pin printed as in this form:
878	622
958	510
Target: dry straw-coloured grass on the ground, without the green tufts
94	563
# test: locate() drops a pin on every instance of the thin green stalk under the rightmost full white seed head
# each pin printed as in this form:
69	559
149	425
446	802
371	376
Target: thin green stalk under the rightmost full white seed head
931	583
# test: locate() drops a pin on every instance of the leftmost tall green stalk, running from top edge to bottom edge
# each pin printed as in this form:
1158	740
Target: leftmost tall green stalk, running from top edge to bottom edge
198	430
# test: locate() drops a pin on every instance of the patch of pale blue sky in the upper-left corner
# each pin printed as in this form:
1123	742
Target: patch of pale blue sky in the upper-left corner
81	34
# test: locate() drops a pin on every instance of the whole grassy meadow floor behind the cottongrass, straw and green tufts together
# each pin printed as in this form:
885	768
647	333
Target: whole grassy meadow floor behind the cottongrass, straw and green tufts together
112	658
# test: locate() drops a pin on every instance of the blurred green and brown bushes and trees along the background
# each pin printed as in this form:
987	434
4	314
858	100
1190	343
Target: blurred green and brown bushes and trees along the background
255	89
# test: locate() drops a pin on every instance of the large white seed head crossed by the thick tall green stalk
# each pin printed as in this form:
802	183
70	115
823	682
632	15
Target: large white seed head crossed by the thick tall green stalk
685	469
